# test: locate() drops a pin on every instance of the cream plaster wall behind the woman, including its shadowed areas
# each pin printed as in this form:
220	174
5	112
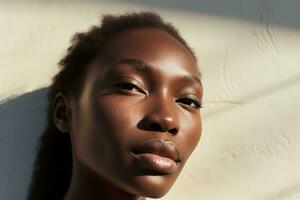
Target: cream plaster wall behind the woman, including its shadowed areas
249	56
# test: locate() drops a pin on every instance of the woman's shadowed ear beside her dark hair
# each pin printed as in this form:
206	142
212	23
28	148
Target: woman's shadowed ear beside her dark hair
61	112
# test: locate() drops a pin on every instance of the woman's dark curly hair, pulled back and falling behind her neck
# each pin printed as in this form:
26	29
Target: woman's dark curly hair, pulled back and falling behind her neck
53	165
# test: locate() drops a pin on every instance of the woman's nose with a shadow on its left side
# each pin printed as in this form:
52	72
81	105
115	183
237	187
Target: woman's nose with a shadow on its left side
161	118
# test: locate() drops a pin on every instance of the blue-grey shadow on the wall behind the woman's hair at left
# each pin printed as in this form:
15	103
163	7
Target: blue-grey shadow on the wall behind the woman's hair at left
22	121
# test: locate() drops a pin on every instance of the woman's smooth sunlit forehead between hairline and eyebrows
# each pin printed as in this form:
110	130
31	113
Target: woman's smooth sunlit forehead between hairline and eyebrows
154	47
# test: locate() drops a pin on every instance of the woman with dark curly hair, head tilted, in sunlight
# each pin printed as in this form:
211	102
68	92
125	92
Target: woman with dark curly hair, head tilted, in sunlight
124	114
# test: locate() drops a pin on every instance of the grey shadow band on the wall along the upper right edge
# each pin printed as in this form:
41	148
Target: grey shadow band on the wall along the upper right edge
275	12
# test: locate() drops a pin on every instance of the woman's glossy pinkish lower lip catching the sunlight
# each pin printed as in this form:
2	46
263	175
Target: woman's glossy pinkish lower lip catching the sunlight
155	162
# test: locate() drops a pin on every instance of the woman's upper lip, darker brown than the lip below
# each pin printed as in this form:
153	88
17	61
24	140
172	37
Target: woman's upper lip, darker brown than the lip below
159	147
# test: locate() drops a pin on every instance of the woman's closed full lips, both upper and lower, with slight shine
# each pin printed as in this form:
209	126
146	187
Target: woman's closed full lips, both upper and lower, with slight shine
157	155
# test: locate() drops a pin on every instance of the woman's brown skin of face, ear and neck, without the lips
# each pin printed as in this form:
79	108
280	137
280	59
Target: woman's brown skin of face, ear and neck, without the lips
144	86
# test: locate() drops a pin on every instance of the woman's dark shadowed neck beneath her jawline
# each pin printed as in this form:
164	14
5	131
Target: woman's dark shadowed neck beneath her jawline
87	185
